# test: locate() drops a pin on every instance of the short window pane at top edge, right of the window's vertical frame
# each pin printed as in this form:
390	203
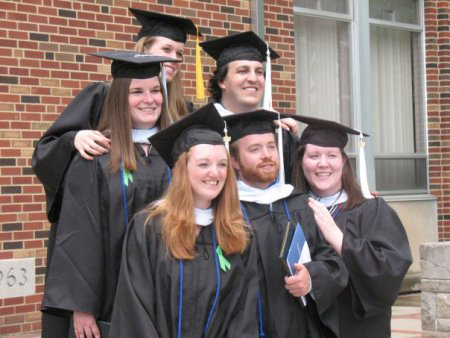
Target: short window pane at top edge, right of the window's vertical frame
401	11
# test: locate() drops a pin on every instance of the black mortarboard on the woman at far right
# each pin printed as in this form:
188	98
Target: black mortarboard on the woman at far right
325	133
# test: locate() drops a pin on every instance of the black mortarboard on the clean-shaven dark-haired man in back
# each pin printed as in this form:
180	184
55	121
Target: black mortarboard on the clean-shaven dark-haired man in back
242	46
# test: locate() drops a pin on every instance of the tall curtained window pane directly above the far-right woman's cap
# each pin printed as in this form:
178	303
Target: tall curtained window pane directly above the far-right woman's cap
323	69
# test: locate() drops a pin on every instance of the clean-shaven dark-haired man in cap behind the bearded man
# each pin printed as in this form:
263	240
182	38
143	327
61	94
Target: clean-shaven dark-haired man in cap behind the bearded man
240	81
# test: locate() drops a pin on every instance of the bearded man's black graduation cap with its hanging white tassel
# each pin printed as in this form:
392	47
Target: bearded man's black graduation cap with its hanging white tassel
258	122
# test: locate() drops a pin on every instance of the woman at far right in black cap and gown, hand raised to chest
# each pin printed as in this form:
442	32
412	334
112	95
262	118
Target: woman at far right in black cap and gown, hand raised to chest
365	232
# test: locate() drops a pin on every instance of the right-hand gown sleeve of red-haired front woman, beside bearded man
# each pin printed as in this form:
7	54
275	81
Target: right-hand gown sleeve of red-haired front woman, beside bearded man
245	320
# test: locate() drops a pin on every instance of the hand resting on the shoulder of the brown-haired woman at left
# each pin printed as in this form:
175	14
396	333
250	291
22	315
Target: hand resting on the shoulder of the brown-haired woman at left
91	142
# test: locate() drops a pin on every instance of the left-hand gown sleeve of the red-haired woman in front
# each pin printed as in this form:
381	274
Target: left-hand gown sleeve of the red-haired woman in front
134	306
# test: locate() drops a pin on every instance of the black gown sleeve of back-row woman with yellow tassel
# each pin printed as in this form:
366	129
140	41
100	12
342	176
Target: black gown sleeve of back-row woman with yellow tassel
55	149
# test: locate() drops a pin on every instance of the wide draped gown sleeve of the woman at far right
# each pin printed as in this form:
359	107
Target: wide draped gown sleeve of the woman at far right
376	252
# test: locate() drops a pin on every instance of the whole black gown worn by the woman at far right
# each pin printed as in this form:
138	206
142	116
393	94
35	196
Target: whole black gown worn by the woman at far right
376	252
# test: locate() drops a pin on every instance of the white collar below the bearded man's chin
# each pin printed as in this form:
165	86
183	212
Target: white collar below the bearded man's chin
269	195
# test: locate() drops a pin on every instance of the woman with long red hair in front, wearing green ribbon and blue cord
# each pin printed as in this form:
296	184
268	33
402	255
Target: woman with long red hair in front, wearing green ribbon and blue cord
188	268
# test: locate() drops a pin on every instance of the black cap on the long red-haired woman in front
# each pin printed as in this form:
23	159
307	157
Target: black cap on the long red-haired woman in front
204	126
